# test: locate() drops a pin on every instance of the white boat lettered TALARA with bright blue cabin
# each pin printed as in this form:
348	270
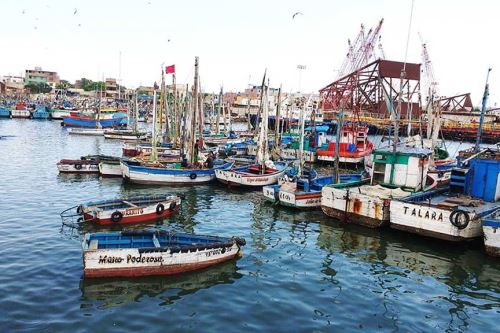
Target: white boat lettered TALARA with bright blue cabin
454	213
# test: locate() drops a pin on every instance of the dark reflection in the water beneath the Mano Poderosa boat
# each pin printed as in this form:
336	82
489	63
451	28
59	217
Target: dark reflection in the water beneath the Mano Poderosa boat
107	293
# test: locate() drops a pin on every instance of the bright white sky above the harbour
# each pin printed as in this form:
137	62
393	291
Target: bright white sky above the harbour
237	40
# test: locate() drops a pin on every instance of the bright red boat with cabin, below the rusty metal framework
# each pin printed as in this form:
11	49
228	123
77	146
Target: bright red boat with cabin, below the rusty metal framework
354	146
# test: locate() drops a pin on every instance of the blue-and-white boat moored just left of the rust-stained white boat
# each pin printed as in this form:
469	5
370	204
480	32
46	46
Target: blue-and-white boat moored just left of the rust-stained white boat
305	193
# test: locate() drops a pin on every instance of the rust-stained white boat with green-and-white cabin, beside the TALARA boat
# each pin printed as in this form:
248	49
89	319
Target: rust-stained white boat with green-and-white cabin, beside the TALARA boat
394	175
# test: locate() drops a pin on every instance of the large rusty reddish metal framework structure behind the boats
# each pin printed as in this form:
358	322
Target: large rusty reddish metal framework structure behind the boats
373	88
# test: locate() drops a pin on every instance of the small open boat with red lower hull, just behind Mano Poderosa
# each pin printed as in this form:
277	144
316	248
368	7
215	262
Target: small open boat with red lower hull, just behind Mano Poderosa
123	211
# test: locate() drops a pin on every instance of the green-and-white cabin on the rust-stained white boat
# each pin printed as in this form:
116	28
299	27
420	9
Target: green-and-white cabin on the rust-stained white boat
406	168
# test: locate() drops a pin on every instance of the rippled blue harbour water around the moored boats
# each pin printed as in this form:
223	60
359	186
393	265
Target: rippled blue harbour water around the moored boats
300	271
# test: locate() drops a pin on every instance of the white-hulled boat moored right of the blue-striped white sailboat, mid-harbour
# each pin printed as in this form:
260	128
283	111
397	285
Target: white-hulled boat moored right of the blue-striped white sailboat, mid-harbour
252	175
